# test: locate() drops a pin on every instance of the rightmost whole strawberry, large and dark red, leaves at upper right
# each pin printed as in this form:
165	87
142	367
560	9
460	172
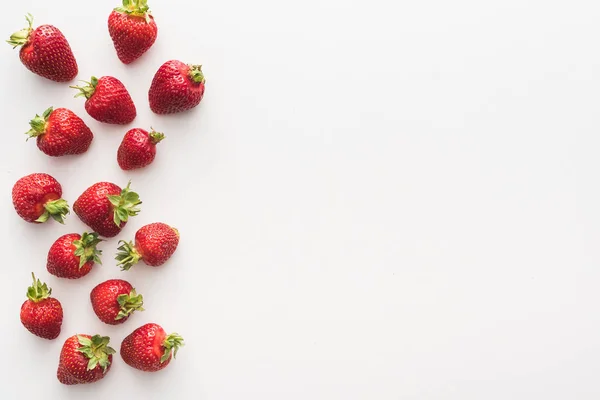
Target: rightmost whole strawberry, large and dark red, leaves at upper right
176	87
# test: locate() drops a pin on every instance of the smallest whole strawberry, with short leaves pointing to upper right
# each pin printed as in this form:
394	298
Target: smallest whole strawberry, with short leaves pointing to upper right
138	148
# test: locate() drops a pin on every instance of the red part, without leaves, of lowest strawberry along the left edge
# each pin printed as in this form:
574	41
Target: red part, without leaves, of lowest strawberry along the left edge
43	318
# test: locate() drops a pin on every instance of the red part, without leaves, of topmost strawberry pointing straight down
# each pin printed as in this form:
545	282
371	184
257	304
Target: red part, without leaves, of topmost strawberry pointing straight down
131	35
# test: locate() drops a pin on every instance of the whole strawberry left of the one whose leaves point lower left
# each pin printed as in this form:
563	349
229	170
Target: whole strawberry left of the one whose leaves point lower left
72	256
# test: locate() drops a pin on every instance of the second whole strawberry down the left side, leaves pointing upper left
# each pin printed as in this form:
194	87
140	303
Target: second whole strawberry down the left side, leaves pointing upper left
60	132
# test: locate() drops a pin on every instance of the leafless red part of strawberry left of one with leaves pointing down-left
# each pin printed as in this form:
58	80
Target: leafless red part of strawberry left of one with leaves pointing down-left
62	261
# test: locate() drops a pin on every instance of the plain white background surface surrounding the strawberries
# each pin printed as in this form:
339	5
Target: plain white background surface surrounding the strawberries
375	201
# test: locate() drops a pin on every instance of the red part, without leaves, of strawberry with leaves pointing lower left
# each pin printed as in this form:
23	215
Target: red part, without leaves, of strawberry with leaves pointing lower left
156	243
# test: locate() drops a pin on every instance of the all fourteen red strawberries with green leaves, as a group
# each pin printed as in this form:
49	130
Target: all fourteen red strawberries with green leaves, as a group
104	206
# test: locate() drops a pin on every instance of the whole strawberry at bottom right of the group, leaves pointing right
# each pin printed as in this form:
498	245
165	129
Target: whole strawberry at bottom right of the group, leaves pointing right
149	348
